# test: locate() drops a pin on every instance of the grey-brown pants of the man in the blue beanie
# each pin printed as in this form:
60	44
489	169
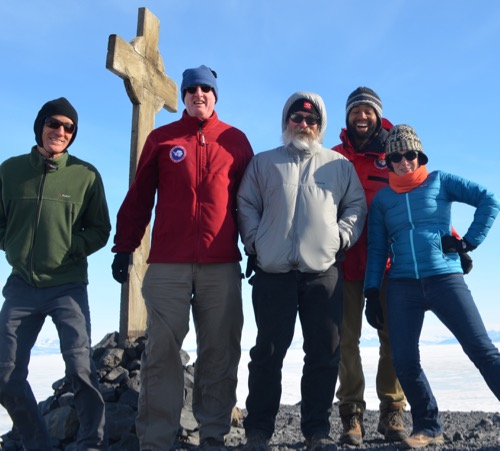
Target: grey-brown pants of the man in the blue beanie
213	292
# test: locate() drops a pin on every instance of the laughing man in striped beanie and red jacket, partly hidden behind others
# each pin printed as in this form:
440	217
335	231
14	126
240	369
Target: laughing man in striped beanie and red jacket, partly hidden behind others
363	142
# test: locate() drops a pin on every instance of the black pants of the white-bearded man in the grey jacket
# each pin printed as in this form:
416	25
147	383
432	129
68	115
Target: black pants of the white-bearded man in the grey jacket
276	300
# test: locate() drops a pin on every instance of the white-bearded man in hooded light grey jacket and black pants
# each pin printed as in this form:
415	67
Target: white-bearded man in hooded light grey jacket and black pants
299	206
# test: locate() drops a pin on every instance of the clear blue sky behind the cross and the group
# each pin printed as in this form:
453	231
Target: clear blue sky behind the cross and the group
434	64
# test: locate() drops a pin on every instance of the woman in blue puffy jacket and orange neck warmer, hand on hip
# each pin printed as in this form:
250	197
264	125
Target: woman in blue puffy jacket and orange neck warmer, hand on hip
411	222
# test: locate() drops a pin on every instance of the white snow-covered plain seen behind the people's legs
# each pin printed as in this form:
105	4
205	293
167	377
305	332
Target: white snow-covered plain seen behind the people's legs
456	383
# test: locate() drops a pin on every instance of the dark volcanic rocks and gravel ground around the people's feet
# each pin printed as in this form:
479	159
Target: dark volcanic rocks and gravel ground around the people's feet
118	367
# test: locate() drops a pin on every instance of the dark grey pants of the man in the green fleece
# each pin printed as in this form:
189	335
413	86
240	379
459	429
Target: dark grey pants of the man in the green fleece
21	319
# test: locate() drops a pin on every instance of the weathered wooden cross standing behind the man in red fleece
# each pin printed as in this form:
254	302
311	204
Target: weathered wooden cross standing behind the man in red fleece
149	89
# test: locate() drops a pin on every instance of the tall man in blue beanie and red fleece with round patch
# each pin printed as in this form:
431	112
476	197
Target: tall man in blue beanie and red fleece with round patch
192	168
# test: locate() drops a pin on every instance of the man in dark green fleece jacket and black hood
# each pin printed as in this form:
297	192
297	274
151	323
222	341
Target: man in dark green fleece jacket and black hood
53	214
